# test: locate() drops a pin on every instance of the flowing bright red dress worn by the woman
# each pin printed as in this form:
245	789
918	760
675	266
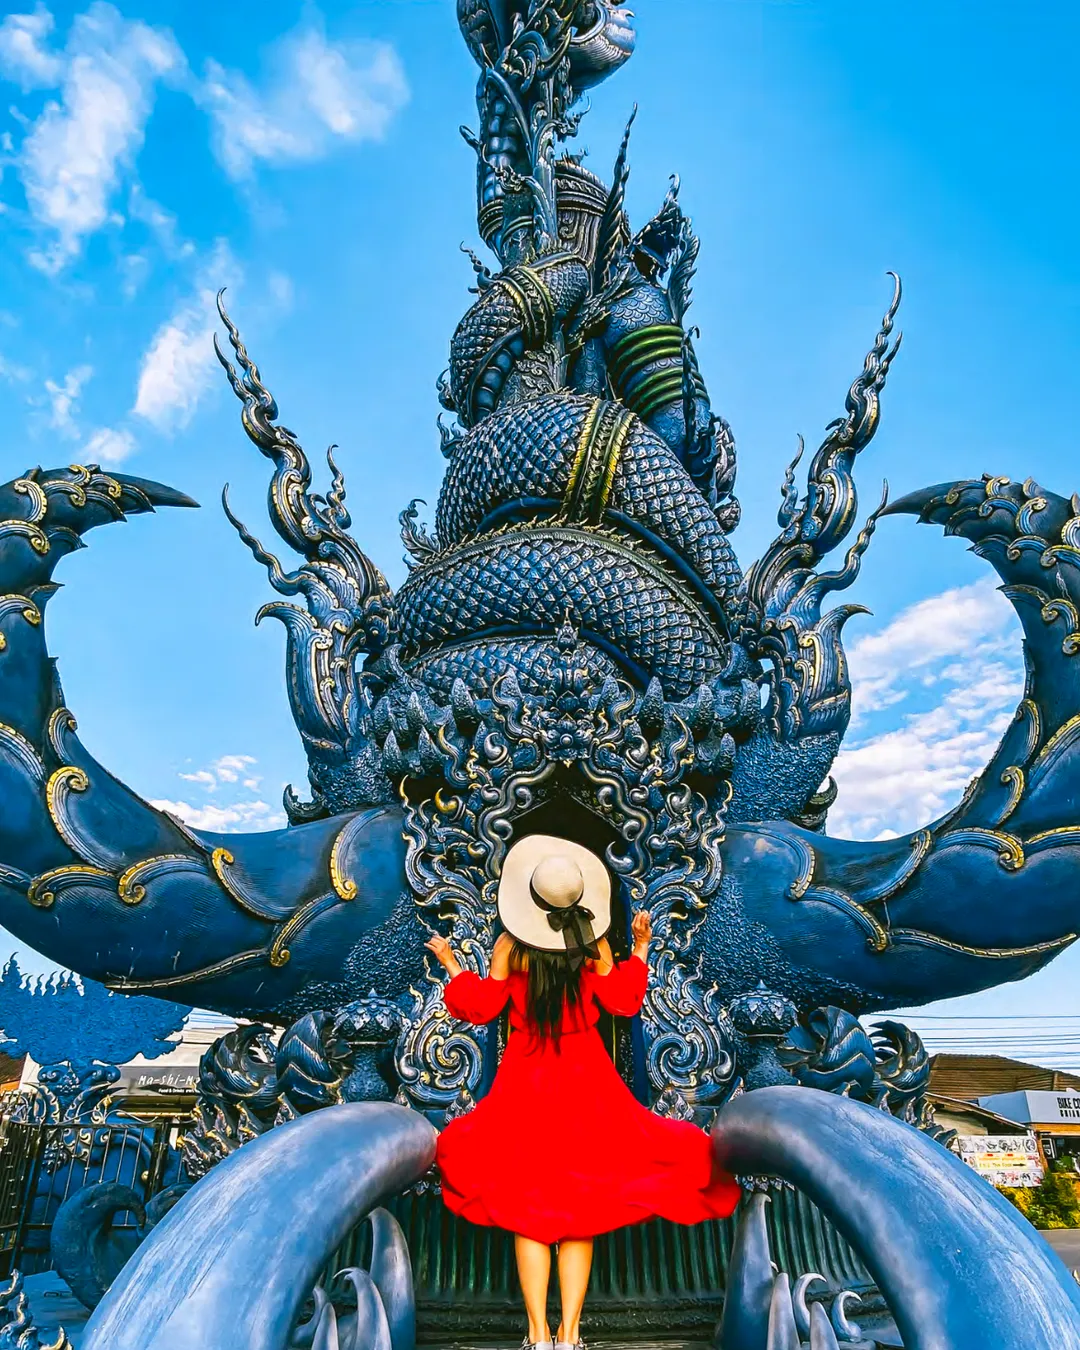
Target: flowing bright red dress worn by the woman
561	1148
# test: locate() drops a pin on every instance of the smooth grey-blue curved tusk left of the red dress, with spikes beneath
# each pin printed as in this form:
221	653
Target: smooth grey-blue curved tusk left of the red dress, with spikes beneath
234	1263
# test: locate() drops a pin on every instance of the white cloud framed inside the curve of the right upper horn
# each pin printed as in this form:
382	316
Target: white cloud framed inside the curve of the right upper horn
913	773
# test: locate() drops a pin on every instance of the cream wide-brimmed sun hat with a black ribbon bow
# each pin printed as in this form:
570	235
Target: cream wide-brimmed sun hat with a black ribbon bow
556	896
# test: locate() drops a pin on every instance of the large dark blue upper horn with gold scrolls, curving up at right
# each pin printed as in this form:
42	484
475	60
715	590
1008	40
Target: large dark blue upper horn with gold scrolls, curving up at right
988	893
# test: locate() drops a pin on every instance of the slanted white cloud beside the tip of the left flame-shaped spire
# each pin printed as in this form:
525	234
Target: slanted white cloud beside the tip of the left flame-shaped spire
180	365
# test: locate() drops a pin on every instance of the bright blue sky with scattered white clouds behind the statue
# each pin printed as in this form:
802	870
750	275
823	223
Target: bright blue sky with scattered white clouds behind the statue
313	164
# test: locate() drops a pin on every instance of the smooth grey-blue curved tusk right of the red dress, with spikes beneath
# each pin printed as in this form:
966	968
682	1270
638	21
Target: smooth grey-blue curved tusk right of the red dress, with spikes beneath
956	1263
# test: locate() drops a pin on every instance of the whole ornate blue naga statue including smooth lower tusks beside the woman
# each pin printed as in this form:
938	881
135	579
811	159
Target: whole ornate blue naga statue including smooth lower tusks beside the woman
576	651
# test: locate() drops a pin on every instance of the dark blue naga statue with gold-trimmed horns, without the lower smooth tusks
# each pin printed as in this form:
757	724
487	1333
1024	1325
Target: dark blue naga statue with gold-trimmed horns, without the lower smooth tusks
577	651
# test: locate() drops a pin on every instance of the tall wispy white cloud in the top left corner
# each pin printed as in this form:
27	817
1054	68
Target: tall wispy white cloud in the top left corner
76	153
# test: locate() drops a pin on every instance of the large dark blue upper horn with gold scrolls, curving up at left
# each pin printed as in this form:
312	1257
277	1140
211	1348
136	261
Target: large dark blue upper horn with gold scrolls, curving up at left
99	881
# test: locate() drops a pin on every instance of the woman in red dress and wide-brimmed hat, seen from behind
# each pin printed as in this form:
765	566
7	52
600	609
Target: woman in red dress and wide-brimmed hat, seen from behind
560	1150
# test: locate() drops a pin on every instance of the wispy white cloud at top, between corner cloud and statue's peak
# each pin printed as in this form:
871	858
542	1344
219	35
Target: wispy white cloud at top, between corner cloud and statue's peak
318	91
